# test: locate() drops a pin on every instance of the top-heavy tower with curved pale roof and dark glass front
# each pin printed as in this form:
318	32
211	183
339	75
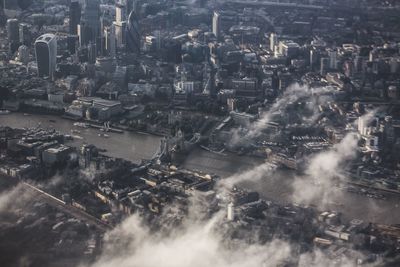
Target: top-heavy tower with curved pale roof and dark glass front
46	55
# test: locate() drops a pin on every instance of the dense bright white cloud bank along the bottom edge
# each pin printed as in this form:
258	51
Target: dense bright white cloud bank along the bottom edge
196	244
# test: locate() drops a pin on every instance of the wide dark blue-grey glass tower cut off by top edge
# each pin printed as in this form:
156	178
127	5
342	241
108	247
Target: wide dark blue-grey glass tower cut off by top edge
90	22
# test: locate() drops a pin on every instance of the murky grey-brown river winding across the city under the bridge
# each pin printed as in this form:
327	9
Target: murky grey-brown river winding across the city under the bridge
276	186
